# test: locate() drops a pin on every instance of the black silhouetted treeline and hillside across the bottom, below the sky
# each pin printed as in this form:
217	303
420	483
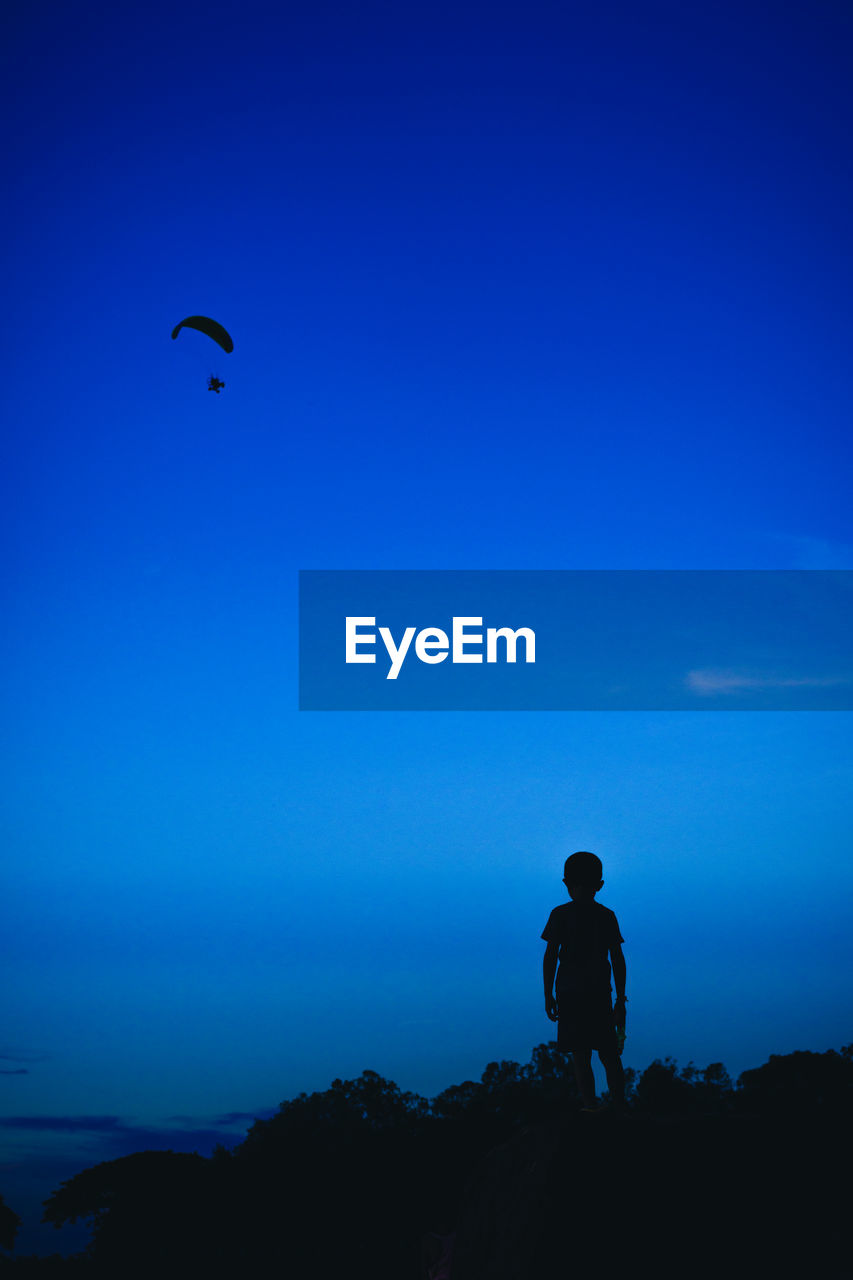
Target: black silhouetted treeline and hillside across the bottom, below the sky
700	1174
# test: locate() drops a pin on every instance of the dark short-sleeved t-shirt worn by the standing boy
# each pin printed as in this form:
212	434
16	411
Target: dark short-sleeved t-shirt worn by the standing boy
586	932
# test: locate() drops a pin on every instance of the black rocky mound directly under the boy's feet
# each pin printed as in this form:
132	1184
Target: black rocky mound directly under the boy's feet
605	1196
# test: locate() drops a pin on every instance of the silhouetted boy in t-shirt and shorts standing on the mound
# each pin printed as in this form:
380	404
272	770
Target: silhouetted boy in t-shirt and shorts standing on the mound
581	938
